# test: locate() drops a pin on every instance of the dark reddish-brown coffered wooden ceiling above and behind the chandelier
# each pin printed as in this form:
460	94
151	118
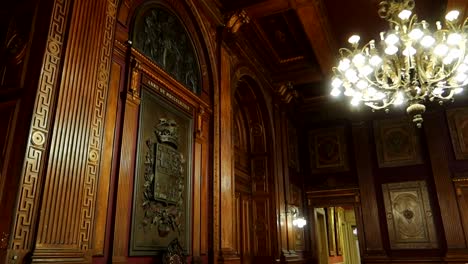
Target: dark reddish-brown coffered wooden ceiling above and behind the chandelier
298	40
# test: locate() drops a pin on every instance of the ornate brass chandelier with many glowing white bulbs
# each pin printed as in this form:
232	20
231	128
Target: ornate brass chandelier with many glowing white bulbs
411	64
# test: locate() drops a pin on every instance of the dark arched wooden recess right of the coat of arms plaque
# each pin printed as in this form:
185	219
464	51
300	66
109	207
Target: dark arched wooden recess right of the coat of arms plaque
254	181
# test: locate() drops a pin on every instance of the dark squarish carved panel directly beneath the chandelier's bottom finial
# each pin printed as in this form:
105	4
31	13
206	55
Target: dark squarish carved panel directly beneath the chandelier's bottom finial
397	143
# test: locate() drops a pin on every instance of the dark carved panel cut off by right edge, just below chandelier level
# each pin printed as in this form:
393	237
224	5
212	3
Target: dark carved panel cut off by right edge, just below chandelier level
458	125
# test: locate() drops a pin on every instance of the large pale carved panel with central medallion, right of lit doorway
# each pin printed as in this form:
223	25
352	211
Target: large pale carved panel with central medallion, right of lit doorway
409	215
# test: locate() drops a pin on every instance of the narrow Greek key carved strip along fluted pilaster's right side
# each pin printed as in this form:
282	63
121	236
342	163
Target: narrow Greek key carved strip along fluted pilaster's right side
94	148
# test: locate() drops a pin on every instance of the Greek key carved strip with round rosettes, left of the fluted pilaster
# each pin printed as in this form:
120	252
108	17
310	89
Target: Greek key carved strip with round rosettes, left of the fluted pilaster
22	236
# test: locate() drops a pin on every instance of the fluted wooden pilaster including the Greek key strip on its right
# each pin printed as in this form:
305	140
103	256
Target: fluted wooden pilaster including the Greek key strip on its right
68	207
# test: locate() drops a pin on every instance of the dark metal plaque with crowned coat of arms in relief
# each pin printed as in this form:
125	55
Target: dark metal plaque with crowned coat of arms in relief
162	184
